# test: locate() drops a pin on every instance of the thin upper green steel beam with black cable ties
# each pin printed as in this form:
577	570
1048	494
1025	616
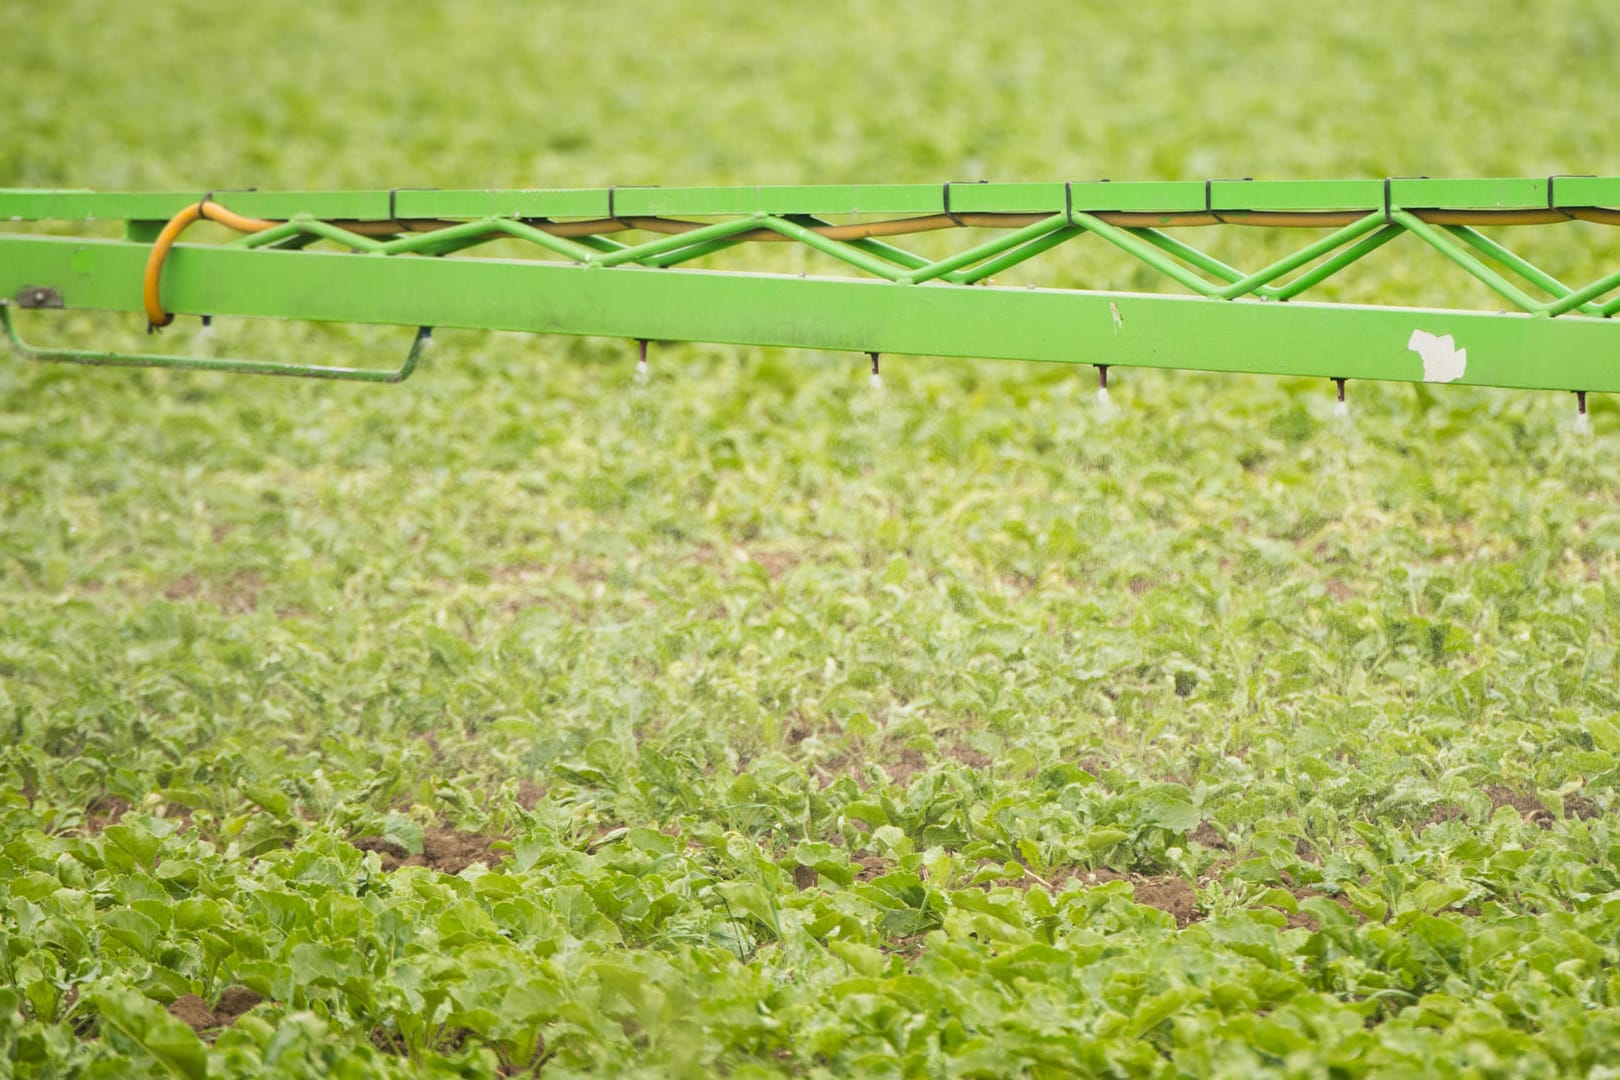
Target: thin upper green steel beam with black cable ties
1175	197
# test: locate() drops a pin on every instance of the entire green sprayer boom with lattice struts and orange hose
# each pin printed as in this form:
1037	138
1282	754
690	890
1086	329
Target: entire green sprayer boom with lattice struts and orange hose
621	263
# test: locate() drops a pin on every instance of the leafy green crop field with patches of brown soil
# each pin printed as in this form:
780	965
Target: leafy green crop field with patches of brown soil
526	721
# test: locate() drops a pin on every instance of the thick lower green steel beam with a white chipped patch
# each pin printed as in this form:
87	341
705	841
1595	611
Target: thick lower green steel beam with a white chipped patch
1120	330
